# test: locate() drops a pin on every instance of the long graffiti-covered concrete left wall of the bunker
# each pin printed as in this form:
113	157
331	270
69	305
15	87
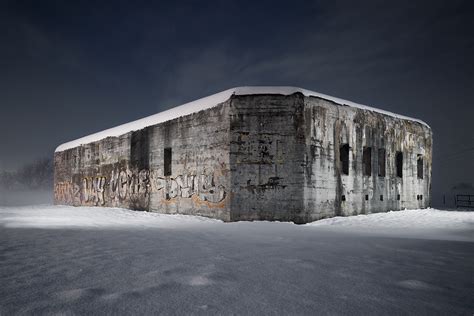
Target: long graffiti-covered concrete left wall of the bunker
128	171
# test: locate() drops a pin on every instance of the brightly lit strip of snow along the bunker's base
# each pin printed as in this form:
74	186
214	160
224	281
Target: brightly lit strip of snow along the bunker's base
422	223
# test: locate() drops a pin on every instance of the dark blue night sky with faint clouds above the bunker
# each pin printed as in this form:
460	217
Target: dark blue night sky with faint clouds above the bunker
68	69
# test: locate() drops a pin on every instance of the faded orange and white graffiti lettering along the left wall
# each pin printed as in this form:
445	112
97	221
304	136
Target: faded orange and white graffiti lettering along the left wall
124	186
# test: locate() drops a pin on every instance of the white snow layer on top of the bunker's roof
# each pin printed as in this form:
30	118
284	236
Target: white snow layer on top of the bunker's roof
209	102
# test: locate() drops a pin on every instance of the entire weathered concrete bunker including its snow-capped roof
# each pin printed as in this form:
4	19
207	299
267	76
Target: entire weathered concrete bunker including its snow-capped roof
253	153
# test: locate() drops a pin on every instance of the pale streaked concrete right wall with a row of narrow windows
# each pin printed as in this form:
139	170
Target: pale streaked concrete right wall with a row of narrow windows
329	192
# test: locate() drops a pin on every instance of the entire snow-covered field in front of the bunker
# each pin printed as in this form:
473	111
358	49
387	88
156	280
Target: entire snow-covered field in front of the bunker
67	260
